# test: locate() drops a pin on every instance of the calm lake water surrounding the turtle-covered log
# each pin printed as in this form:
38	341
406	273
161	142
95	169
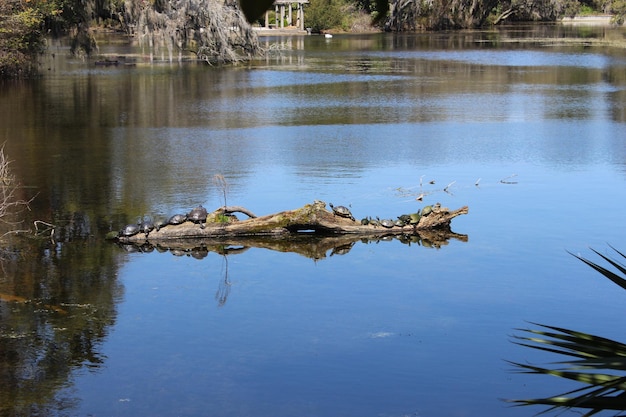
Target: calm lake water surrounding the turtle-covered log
530	135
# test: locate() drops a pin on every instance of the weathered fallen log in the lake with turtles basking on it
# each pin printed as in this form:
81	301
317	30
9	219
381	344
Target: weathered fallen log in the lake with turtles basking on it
311	218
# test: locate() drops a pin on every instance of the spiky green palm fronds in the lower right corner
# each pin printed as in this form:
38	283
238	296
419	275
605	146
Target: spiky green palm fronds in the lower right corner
597	362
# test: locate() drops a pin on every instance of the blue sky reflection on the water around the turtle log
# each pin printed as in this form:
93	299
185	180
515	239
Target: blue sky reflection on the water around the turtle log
387	329
